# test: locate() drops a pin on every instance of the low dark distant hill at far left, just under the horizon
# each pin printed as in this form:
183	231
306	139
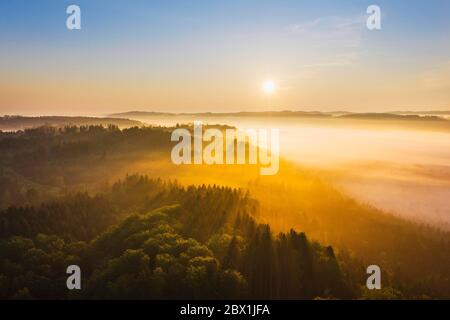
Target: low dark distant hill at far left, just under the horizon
11	123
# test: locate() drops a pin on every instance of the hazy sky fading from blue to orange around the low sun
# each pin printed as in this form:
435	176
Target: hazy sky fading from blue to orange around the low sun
209	55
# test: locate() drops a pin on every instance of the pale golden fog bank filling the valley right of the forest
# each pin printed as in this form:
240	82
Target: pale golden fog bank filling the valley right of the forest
401	166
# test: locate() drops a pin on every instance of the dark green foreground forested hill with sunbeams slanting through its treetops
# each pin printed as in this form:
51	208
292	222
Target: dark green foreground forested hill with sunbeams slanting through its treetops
148	239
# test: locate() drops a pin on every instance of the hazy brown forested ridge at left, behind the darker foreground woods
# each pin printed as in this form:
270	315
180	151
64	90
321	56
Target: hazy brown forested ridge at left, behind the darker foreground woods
43	162
